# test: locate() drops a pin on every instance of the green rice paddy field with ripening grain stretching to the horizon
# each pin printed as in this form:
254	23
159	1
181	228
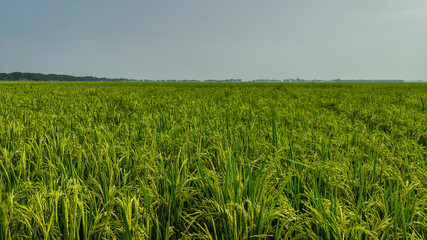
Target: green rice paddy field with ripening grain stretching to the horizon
213	161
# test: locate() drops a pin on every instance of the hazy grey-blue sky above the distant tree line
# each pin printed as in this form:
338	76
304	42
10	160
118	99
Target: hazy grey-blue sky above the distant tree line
221	39
